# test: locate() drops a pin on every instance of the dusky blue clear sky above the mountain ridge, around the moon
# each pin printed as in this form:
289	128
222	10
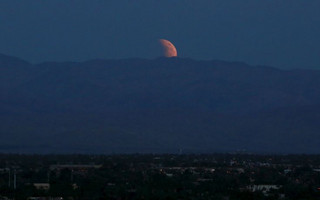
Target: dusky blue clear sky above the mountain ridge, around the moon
280	33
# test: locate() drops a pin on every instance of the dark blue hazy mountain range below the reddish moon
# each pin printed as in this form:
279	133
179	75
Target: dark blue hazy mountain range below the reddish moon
160	105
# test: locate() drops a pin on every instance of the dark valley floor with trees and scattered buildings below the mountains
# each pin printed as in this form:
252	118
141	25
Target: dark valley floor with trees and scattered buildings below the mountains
217	176
